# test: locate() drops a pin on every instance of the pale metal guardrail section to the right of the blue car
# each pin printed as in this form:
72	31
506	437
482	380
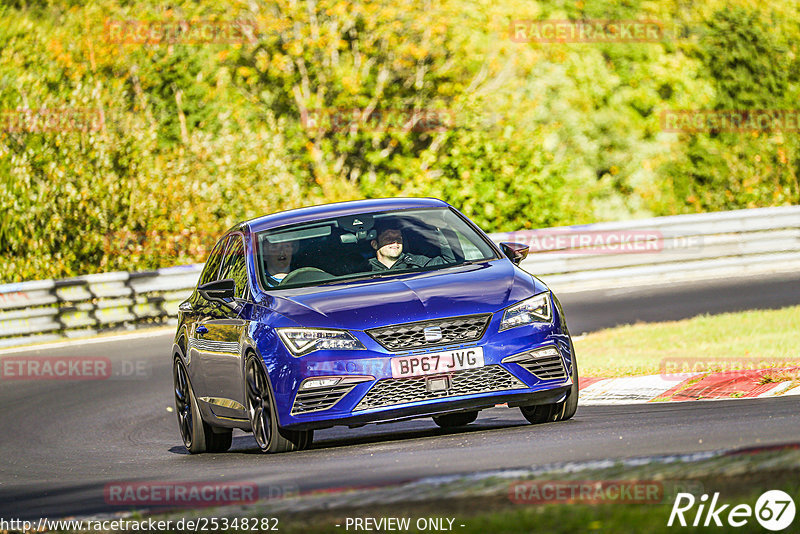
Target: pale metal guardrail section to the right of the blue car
663	249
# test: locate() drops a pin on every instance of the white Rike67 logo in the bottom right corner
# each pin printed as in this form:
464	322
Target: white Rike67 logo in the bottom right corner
774	510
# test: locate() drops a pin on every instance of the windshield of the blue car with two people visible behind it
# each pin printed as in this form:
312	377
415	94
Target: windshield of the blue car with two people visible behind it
365	246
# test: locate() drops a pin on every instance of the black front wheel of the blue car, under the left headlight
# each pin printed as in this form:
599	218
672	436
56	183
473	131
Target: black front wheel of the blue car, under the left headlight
263	419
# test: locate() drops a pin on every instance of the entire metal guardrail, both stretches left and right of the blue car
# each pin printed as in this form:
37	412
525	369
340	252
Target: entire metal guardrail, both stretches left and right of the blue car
567	258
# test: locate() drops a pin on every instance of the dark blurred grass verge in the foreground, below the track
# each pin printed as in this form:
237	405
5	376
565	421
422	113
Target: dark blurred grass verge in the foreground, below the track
485	505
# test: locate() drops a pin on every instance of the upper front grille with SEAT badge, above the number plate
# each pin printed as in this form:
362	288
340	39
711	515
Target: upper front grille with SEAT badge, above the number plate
410	336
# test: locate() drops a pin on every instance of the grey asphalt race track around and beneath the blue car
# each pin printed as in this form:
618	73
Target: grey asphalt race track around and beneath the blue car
61	442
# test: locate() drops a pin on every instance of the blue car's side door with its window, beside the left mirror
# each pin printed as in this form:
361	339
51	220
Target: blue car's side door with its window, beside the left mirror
221	330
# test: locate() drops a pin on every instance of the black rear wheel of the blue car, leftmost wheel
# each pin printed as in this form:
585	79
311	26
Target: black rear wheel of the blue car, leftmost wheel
197	435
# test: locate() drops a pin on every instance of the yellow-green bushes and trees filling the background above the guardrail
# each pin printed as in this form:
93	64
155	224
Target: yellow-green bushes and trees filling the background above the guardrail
180	140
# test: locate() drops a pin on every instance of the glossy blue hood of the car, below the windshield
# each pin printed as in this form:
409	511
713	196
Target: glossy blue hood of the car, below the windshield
468	289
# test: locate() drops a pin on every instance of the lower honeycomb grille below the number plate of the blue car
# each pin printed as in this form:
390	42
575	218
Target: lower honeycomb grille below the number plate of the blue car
392	391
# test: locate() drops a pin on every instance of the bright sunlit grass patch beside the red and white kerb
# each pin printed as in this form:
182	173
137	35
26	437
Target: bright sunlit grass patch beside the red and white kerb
752	339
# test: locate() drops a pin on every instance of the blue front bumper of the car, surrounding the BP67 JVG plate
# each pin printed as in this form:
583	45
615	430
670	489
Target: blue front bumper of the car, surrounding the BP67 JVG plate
508	376
